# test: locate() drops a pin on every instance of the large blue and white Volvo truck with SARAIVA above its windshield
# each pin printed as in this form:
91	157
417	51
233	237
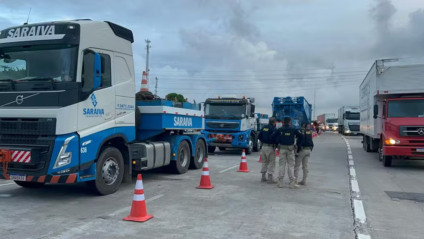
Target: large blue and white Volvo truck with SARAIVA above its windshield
69	114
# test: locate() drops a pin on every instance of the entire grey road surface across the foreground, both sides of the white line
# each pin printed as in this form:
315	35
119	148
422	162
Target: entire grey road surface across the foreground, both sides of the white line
239	206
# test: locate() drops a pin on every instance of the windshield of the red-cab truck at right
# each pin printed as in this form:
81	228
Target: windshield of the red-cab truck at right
405	108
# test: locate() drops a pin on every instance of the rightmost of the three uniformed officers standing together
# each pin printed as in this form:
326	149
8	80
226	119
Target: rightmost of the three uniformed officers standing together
305	146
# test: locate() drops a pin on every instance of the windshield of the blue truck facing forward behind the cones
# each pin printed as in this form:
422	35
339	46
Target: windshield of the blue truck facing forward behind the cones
225	111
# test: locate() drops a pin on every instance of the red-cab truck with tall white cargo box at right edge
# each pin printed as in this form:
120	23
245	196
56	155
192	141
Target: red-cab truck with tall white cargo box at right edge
392	110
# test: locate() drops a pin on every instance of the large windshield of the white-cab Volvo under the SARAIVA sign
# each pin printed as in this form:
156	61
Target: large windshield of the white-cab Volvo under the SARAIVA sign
32	63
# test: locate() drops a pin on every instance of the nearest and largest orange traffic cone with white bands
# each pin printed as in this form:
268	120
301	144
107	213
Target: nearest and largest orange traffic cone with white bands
138	209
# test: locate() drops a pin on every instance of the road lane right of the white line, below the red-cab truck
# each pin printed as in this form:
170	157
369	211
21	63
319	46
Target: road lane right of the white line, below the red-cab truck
393	197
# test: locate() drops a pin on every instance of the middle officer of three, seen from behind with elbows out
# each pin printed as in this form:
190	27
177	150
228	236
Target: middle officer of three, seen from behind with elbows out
286	138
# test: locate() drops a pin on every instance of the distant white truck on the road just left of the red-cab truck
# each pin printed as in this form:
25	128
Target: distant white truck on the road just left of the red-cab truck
348	120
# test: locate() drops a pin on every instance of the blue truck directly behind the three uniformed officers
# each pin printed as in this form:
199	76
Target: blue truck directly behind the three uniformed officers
297	108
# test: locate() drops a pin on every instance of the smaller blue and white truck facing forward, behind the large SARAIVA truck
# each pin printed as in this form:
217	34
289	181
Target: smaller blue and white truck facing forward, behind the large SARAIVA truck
230	122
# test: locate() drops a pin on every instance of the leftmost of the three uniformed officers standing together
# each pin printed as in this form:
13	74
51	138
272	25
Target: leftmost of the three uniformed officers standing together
268	150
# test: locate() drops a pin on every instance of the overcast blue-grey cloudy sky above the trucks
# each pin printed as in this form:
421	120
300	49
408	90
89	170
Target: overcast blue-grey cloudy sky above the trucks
319	49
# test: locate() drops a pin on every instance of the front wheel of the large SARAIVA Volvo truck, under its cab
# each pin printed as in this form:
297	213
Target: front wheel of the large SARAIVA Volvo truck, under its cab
110	172
